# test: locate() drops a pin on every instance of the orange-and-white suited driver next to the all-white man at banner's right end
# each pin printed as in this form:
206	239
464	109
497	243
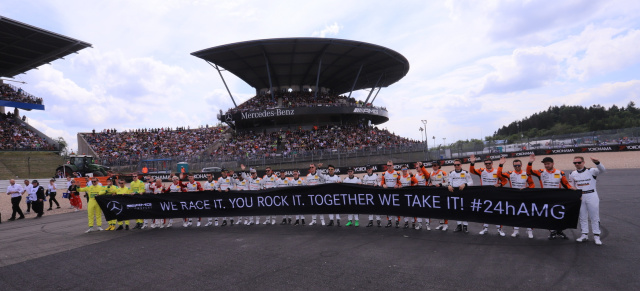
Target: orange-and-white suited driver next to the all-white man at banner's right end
550	177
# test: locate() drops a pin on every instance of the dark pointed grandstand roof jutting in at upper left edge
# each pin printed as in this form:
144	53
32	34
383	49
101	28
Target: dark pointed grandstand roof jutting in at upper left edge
24	47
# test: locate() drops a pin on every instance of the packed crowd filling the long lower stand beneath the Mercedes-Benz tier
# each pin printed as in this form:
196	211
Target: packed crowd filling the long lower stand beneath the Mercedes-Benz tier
131	146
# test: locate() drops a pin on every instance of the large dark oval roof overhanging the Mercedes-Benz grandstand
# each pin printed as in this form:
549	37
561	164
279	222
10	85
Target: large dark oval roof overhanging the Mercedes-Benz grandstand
294	61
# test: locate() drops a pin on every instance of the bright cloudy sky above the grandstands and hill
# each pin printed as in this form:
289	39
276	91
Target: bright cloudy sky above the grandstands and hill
474	65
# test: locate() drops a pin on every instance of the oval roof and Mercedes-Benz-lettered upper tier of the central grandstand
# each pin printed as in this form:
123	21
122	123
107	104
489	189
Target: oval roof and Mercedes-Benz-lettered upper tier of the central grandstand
334	66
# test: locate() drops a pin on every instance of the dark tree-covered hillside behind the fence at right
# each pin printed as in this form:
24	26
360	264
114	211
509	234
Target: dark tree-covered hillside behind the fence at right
571	119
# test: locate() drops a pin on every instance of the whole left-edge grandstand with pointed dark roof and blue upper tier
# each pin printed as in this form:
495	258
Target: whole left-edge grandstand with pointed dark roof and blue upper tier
24	150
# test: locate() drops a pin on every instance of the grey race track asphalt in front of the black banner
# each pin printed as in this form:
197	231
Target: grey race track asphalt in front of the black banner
54	253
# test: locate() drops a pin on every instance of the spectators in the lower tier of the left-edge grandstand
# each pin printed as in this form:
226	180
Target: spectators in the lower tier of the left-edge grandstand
15	136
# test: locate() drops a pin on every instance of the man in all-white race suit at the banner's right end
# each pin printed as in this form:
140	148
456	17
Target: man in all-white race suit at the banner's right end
584	178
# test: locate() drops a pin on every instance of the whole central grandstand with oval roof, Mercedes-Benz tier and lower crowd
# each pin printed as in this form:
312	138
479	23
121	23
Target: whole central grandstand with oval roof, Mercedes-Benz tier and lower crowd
303	109
